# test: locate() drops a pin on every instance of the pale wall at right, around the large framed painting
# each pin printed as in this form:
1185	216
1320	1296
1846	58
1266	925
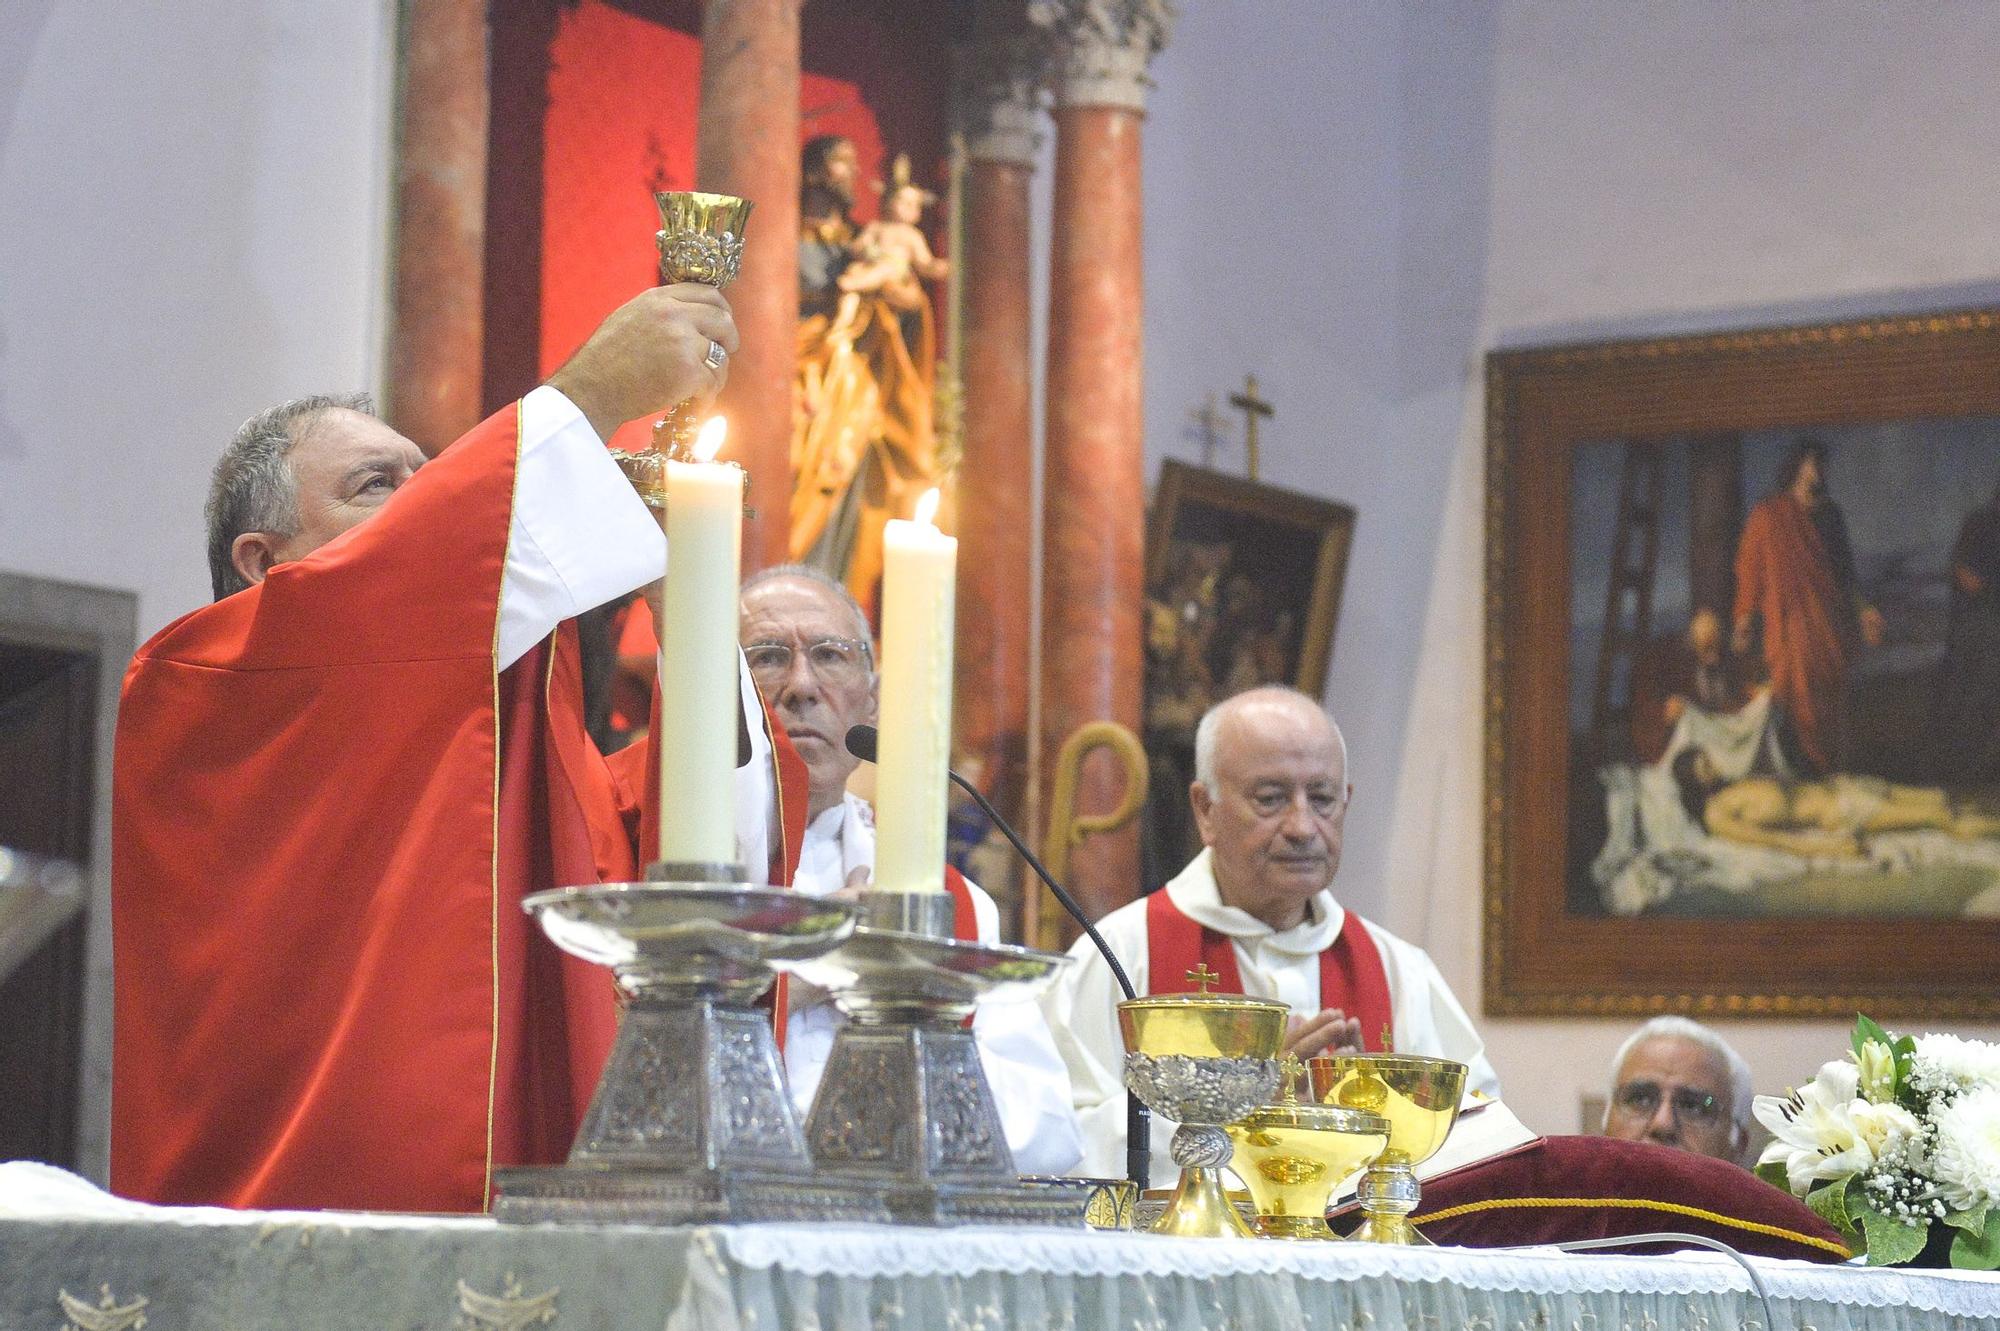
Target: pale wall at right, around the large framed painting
1357	201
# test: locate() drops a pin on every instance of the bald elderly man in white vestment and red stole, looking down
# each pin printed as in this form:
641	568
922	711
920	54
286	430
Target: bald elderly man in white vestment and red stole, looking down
1257	908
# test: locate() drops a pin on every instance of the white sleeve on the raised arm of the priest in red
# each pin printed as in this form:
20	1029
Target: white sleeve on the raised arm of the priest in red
581	533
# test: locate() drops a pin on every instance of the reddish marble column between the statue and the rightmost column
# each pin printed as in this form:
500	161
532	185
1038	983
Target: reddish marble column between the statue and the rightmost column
1001	119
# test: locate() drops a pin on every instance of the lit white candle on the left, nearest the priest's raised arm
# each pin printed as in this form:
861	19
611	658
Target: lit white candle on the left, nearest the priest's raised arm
699	696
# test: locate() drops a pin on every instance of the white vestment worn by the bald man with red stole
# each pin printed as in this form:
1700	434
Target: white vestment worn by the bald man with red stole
1273	964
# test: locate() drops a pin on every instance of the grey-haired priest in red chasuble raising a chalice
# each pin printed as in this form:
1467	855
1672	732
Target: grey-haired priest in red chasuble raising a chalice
339	780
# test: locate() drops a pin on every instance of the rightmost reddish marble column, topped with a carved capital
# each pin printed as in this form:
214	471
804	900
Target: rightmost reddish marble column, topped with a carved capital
1095	509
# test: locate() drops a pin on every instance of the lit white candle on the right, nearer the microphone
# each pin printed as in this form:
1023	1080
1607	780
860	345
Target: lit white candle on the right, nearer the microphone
913	748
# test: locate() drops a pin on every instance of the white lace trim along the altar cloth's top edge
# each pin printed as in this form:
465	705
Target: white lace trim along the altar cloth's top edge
861	1252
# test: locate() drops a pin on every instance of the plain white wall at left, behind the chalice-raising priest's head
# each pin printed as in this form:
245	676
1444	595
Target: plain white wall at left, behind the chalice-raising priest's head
193	227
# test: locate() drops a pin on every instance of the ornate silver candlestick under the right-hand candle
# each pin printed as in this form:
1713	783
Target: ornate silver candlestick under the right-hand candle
905	1112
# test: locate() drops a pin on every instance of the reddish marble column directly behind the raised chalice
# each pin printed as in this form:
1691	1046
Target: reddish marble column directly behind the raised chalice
747	145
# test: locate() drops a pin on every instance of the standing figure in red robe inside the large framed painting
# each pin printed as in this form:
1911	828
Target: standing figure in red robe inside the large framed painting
1795	583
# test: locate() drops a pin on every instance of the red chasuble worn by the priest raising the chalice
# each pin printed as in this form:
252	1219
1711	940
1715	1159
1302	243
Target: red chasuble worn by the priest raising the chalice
327	810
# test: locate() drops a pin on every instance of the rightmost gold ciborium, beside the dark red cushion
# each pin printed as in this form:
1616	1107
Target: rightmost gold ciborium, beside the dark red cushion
1419	1096
